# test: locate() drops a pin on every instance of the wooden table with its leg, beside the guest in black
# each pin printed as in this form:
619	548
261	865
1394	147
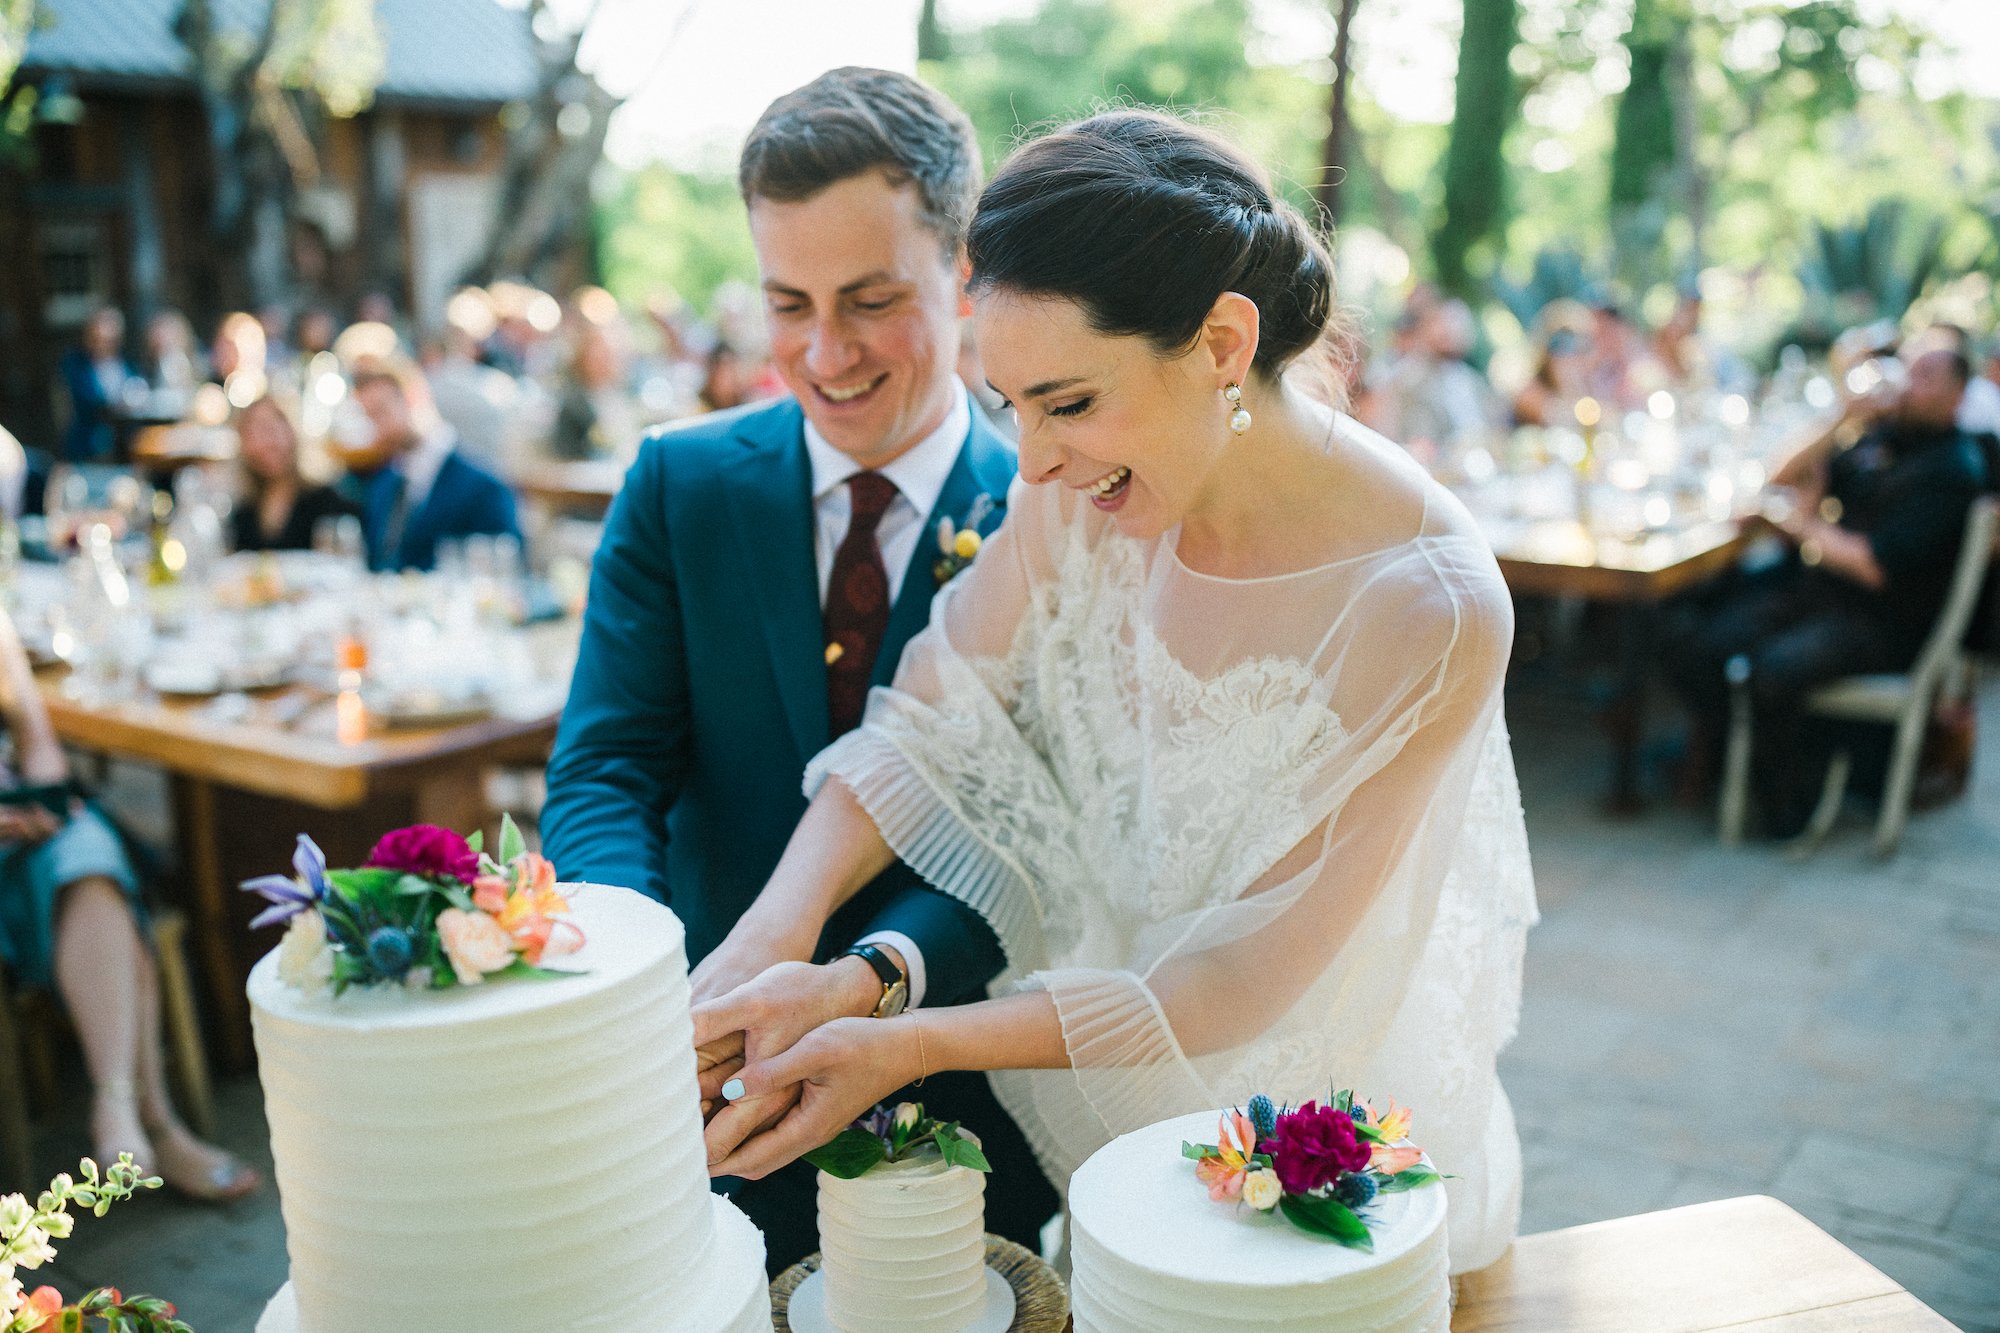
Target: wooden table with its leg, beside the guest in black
1565	559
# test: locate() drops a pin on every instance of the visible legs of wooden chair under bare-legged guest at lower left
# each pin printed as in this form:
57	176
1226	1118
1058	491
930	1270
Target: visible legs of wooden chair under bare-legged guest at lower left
31	1026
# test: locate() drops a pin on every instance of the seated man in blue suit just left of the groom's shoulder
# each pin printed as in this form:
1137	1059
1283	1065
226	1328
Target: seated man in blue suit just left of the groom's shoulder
427	491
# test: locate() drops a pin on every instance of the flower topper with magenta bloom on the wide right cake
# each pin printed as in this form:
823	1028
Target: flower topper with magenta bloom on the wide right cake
1317	1166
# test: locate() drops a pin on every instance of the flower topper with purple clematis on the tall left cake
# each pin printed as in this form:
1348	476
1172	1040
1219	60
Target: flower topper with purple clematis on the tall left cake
429	912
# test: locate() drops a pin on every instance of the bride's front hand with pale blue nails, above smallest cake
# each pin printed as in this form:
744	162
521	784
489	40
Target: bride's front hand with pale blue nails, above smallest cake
839	1072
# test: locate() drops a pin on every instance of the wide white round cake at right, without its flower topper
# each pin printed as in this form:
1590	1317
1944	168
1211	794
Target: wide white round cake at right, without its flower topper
1155	1254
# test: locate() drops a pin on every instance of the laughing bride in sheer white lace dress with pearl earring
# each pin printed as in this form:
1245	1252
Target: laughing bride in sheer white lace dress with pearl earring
1209	732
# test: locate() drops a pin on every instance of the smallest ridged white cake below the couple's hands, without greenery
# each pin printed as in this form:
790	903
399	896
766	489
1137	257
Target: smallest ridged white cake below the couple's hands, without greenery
905	1248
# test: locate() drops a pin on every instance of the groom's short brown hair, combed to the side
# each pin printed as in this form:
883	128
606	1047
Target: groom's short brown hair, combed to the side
855	121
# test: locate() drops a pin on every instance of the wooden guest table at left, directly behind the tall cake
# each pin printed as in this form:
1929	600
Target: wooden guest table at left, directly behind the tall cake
245	792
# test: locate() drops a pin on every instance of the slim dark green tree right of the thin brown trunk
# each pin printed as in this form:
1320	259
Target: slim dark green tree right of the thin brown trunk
1475	171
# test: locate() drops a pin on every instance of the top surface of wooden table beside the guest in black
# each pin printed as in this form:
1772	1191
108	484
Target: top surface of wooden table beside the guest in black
1563	557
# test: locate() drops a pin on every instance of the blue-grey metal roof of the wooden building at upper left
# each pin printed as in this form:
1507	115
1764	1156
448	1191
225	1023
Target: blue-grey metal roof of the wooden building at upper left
439	51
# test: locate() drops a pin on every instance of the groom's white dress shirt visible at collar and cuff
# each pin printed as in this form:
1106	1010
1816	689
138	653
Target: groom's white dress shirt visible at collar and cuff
919	477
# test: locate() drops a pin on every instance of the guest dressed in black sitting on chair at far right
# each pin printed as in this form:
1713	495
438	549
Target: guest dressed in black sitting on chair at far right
1875	513
